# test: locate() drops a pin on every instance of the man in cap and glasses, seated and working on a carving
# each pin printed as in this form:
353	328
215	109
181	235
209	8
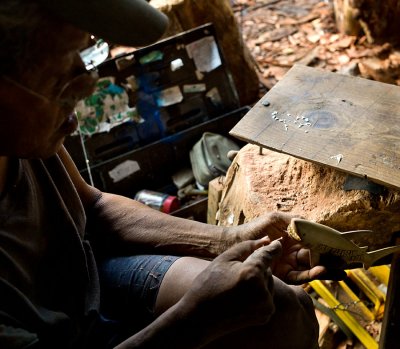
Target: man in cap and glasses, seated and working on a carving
150	297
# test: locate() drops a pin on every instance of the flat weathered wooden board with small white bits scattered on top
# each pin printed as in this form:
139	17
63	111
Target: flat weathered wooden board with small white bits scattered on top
348	123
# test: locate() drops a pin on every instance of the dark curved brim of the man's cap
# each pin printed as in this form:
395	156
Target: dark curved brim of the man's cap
124	22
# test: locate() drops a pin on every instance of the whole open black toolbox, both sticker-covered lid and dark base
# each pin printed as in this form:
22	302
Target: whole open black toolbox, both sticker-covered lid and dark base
149	108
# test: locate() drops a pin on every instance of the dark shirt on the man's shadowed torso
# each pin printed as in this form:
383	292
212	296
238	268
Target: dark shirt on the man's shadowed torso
49	291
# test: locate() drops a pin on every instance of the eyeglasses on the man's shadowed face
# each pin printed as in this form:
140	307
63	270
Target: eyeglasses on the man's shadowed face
71	93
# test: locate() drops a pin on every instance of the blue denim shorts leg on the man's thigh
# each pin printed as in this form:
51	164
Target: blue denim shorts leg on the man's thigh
129	289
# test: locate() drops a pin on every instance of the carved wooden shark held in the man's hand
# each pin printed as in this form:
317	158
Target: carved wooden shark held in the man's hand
323	240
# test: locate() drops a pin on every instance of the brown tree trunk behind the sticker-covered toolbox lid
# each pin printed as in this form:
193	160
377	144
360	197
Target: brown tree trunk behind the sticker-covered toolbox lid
188	14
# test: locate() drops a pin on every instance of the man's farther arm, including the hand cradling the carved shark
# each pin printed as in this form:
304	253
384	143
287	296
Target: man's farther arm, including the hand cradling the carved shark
122	223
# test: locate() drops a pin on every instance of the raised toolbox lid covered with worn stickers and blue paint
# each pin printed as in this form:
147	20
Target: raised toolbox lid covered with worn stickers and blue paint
153	92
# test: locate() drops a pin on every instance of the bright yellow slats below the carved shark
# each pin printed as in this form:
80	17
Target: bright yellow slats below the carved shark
355	305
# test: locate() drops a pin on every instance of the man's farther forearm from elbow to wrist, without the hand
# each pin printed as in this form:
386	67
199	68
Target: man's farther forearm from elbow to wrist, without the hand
117	219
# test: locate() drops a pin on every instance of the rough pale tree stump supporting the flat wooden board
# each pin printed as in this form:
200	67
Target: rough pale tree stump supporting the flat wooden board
259	183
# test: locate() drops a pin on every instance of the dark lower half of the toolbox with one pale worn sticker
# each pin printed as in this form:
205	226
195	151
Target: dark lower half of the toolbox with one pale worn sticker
152	166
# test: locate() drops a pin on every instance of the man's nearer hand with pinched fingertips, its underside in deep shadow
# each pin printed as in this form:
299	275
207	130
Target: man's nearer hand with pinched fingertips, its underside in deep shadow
236	289
